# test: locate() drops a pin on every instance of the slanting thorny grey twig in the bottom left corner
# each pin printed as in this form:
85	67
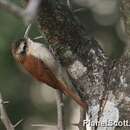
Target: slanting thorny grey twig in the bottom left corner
4	117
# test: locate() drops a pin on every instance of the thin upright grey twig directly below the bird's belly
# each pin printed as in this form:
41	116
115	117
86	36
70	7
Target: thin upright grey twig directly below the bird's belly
60	111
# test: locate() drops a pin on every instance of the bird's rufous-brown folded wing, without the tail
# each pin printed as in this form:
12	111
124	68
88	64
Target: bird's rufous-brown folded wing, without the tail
40	71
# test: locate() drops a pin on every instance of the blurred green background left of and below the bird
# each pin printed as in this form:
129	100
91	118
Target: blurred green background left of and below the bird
26	99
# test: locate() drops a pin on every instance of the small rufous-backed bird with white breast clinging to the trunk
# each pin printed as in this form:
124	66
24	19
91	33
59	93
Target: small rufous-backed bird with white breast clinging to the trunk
37	60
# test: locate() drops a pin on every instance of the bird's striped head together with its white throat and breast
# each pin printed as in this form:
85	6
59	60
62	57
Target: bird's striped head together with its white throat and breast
25	47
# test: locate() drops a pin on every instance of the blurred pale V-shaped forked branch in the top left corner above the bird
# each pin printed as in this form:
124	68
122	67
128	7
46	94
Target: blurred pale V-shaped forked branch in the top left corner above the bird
27	14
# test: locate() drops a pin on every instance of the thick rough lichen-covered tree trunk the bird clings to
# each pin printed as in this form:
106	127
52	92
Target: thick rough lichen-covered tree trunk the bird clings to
98	79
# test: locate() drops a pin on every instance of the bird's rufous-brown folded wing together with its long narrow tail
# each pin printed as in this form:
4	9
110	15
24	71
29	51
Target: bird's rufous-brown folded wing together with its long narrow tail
41	72
